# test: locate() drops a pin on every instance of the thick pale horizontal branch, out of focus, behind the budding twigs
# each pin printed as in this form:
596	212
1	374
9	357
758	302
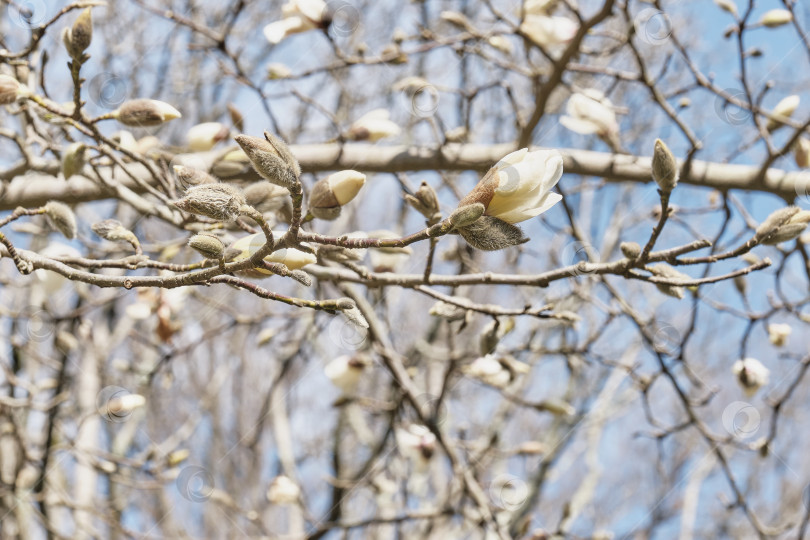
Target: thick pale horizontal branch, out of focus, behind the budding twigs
37	188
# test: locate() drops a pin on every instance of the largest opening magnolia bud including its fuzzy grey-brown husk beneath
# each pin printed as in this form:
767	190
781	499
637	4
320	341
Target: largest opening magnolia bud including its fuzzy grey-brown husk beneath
517	188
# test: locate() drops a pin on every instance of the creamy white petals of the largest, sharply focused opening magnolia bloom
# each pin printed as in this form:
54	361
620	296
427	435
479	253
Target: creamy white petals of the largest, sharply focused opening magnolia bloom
524	181
